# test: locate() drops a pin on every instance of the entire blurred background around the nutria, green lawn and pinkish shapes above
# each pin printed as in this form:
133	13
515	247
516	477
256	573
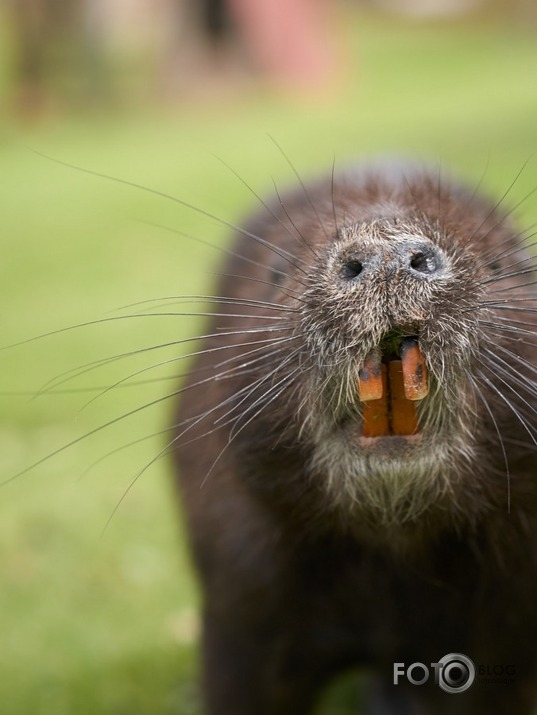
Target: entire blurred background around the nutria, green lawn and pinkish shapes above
176	96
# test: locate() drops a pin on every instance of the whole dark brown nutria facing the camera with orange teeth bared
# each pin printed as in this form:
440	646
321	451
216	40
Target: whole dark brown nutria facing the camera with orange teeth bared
356	449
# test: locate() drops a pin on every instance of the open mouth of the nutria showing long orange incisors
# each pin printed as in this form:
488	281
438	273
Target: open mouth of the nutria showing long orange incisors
393	379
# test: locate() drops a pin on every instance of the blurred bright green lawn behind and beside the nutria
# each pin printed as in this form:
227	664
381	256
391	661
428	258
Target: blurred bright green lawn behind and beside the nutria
94	622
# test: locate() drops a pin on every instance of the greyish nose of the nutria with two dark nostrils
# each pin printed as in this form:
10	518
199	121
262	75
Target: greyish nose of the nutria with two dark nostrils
419	258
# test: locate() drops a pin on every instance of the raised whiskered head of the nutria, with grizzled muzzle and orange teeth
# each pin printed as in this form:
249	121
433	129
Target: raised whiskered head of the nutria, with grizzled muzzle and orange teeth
384	367
